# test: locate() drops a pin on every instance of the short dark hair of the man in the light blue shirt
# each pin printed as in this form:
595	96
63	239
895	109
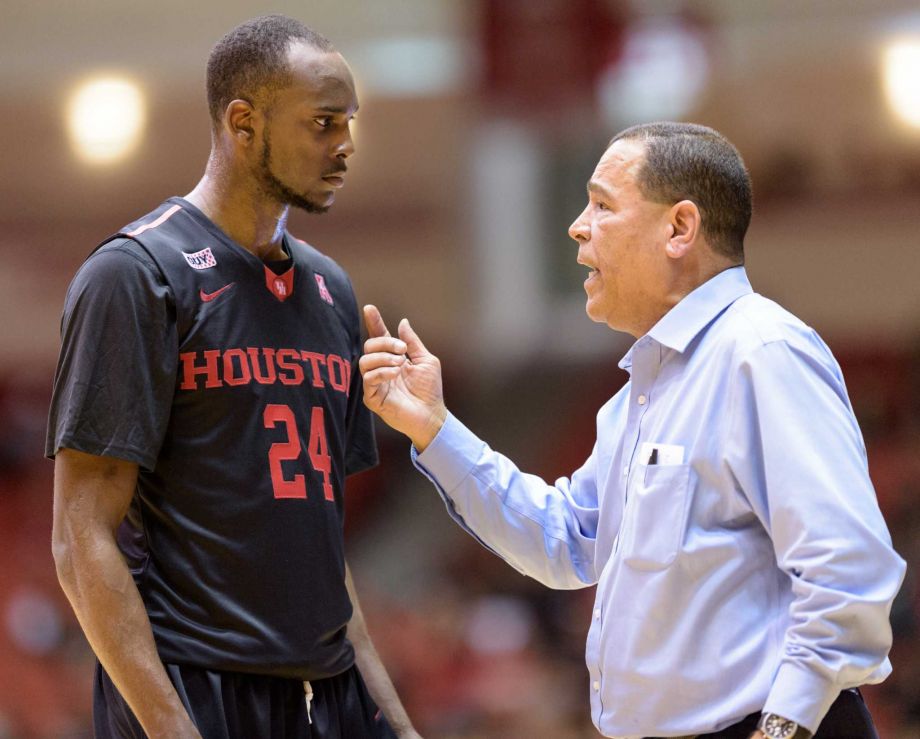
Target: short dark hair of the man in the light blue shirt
686	161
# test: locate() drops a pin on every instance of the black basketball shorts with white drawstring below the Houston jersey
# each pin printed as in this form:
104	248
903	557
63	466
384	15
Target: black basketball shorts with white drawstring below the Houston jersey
228	705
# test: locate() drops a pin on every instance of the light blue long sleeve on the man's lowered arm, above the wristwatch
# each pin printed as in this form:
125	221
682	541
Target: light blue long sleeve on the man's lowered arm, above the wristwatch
797	453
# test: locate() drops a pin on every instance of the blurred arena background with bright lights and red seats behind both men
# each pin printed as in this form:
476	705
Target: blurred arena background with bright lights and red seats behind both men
480	122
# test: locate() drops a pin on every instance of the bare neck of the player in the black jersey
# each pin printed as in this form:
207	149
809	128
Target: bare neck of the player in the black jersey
251	221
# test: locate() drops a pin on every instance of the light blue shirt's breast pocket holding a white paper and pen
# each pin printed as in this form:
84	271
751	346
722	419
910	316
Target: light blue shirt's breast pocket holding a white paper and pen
656	516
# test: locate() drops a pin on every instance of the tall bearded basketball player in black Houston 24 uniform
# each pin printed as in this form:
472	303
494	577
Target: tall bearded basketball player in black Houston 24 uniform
206	412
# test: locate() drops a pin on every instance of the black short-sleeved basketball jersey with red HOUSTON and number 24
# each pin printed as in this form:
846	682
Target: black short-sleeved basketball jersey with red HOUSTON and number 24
237	392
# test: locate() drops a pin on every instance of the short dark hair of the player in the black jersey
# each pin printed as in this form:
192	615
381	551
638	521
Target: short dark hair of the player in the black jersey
251	60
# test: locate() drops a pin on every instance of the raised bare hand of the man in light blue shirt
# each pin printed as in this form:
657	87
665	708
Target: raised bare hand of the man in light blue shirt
402	380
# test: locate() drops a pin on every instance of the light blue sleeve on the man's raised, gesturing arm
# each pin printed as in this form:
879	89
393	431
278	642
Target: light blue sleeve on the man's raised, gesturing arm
547	532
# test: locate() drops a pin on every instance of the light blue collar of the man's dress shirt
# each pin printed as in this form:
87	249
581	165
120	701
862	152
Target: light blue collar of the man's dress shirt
680	325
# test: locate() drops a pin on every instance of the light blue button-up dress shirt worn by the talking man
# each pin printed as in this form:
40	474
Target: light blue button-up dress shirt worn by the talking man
747	567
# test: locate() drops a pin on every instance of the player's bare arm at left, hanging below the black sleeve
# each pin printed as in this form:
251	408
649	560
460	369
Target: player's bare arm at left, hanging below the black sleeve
91	497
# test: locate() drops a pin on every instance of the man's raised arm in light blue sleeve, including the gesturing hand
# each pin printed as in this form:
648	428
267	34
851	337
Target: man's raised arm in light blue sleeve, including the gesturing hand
402	384
